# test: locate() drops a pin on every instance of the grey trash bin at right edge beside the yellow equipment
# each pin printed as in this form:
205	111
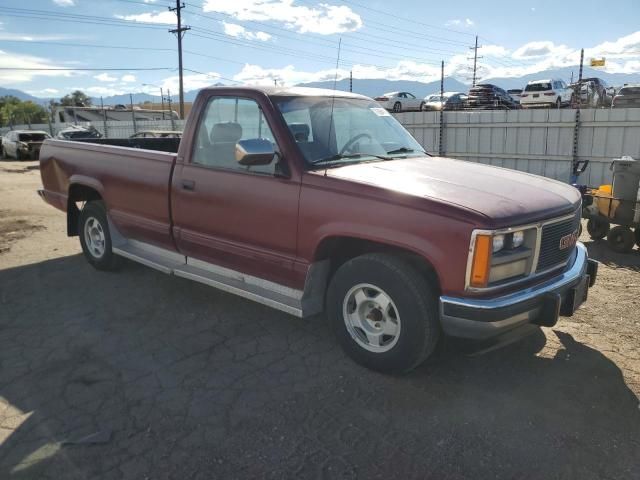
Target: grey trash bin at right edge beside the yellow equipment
626	187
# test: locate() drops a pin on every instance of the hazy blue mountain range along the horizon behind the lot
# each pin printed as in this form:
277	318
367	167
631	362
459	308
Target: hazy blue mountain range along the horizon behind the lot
373	87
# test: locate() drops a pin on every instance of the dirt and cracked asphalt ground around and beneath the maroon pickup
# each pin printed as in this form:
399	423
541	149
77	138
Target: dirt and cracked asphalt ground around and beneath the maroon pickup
140	375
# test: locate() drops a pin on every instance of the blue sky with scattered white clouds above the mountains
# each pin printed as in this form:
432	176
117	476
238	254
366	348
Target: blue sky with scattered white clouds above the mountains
291	41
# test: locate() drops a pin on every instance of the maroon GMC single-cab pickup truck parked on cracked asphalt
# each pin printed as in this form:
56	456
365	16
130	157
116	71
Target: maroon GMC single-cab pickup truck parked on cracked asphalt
311	200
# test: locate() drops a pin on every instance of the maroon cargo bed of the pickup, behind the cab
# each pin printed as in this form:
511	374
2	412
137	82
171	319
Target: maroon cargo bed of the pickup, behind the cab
134	182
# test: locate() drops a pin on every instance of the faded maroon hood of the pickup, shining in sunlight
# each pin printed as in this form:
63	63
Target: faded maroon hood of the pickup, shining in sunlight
503	196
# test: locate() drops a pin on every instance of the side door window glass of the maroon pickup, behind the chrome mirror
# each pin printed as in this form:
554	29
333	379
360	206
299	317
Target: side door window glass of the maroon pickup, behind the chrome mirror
226	121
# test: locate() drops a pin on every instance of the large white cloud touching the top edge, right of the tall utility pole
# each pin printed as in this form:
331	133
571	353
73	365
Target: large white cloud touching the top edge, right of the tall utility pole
323	18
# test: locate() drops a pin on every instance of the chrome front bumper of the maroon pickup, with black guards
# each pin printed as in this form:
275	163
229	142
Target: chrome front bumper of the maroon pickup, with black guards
541	304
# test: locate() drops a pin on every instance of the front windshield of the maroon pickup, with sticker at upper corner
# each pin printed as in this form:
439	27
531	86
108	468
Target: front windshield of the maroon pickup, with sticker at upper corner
336	131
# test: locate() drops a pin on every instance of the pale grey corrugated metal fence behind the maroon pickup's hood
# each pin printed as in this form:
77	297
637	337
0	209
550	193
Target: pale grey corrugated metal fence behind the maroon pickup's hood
538	141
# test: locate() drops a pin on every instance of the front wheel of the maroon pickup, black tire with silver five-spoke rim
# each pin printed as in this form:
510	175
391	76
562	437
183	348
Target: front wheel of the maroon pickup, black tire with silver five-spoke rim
411	317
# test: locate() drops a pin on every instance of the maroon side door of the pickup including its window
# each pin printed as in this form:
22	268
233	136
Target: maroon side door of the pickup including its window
239	217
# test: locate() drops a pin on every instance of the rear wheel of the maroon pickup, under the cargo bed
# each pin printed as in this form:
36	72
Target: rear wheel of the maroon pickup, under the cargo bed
95	237
